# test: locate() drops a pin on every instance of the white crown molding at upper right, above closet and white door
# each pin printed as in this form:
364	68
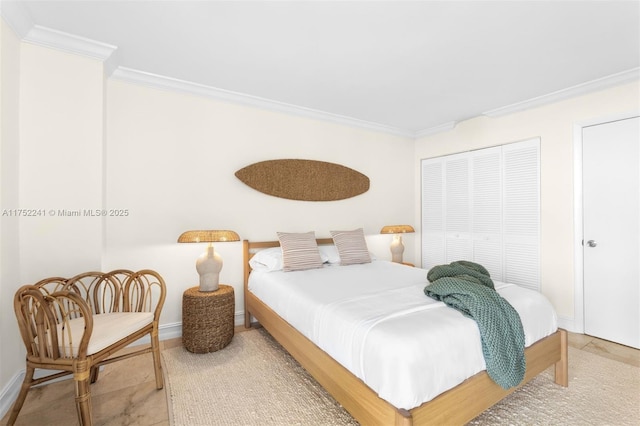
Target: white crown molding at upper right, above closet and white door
570	92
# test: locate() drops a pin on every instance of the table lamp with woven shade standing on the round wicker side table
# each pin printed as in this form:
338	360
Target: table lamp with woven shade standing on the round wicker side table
209	264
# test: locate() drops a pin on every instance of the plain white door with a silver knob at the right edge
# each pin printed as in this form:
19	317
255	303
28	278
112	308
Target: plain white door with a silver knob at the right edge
611	245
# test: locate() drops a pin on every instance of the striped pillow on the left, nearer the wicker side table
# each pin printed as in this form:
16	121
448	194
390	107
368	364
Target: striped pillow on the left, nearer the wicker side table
299	251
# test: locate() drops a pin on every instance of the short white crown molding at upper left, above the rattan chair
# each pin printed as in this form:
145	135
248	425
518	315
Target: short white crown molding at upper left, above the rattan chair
70	43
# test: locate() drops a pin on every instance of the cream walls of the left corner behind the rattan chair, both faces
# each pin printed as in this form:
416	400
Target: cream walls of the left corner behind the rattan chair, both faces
52	160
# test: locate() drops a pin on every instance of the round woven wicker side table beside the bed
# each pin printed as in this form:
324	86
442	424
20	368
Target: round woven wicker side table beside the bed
207	319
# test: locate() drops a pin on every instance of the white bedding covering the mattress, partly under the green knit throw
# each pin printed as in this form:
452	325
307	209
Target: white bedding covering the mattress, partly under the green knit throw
377	322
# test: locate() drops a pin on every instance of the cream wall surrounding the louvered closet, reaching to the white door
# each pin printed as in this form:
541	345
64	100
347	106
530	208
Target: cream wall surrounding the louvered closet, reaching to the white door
555	125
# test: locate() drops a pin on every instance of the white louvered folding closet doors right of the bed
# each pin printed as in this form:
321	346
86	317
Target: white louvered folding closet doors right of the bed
483	206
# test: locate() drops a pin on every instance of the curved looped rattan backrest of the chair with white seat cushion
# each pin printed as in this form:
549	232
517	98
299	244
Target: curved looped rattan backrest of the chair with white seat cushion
44	309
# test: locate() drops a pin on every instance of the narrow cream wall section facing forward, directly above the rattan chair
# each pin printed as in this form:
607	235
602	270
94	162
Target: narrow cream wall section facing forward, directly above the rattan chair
61	138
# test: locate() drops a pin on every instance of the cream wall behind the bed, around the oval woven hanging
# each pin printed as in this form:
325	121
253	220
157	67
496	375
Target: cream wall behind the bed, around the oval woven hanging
171	159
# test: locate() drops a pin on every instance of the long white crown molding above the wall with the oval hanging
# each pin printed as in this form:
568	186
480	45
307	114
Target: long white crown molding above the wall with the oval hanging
163	82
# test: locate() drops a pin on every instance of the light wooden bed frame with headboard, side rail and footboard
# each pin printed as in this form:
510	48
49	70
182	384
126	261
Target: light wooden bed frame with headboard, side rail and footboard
455	406
